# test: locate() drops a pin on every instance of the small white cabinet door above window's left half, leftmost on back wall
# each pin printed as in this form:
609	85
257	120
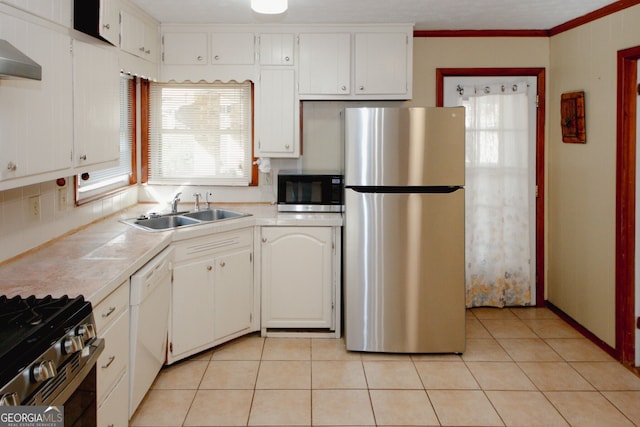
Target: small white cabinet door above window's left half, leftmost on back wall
185	48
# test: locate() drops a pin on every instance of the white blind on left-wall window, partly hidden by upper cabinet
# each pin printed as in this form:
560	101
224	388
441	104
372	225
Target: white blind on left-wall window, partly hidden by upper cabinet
118	176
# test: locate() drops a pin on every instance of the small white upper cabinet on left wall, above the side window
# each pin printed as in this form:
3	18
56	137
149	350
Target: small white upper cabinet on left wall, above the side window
139	38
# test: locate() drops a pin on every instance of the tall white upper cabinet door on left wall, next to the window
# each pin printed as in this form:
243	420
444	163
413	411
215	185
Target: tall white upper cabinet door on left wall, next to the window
96	97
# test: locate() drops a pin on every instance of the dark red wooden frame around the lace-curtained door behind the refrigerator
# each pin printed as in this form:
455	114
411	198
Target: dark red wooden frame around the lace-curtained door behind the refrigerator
539	73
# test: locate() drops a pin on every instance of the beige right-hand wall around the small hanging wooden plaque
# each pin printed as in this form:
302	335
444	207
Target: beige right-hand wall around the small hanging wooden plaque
581	191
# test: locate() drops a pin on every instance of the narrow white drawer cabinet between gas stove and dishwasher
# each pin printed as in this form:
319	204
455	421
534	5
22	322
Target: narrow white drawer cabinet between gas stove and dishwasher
112	368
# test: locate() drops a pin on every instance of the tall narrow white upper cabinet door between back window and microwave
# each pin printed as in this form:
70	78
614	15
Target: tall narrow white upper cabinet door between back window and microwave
278	134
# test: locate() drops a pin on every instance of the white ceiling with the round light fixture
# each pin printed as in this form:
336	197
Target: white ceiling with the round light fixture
425	14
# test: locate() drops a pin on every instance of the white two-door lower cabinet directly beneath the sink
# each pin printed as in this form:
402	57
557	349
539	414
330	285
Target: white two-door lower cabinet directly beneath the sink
211	292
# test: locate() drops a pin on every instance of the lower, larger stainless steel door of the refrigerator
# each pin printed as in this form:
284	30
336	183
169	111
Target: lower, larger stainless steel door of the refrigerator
404	272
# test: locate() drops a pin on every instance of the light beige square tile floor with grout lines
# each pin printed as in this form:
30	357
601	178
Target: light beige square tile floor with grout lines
522	367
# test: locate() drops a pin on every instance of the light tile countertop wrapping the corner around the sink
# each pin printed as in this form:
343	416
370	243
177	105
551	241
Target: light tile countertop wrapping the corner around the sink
94	260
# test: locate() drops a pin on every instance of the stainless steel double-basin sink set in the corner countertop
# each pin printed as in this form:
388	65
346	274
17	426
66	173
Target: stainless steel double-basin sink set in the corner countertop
155	222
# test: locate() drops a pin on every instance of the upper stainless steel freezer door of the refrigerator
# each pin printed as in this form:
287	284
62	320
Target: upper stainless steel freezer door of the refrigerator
404	146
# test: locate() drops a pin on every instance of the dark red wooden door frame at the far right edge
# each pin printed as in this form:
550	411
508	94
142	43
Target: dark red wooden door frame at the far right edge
626	204
